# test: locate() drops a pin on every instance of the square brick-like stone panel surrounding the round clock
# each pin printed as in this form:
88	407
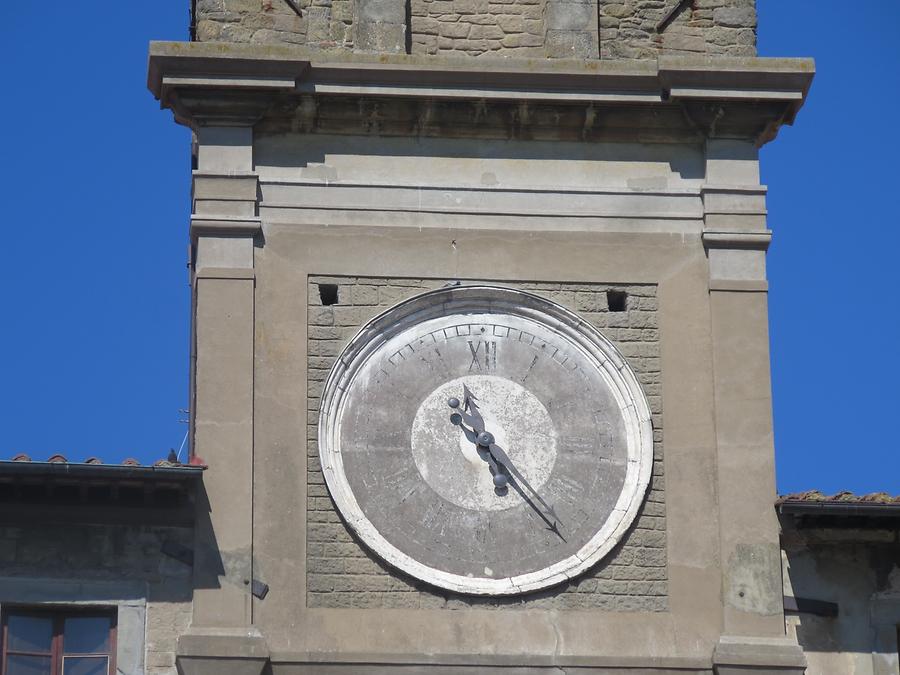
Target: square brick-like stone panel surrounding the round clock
341	572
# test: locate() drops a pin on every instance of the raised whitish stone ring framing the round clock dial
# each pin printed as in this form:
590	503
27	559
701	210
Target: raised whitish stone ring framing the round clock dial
593	348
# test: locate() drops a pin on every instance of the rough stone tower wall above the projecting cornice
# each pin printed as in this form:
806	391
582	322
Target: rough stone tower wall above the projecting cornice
583	29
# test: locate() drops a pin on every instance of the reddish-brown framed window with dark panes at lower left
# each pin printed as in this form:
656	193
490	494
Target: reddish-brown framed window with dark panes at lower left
59	642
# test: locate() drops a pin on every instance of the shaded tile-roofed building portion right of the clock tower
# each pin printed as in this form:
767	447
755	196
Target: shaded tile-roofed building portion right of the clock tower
841	557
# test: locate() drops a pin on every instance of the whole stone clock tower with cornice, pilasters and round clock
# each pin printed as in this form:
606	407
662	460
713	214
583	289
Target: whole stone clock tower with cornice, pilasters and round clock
480	352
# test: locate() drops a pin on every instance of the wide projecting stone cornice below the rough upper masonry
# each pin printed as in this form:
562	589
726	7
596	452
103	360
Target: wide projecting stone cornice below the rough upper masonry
668	99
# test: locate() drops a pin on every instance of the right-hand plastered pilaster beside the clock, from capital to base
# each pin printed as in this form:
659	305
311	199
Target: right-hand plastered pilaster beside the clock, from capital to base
736	240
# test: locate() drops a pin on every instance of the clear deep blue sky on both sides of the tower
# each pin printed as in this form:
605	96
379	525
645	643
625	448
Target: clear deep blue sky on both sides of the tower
95	194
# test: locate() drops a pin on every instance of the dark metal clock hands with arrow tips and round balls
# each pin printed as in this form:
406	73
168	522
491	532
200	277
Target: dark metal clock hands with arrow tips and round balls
496	457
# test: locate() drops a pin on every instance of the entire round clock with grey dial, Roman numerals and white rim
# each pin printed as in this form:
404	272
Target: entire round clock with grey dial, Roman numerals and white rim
485	440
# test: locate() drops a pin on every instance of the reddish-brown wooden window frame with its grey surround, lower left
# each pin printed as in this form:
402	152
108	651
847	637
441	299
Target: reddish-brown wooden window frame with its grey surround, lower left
58	615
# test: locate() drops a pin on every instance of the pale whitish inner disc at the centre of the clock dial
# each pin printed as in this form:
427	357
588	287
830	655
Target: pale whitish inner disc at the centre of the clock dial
452	464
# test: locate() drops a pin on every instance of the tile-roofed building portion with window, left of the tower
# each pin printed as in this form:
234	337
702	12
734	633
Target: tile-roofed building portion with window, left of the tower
96	565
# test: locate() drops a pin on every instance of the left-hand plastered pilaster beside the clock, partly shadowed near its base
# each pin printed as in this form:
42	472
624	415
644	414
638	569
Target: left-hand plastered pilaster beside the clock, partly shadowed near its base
224	225
